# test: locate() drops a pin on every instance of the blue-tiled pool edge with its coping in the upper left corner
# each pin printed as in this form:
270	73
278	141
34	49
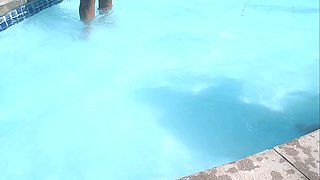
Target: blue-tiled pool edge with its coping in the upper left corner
15	11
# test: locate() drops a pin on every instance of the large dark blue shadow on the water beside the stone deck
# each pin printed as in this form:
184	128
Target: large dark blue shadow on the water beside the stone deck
216	122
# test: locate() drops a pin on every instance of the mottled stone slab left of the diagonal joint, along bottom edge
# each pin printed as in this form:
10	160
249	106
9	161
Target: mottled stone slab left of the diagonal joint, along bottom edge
265	165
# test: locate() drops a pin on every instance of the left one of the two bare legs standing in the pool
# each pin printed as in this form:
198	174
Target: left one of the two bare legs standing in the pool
87	9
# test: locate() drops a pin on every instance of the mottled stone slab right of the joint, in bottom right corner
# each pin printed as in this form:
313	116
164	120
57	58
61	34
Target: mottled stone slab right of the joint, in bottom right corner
303	153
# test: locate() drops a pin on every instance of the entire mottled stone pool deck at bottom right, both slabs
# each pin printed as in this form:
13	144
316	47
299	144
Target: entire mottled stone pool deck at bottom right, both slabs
298	159
